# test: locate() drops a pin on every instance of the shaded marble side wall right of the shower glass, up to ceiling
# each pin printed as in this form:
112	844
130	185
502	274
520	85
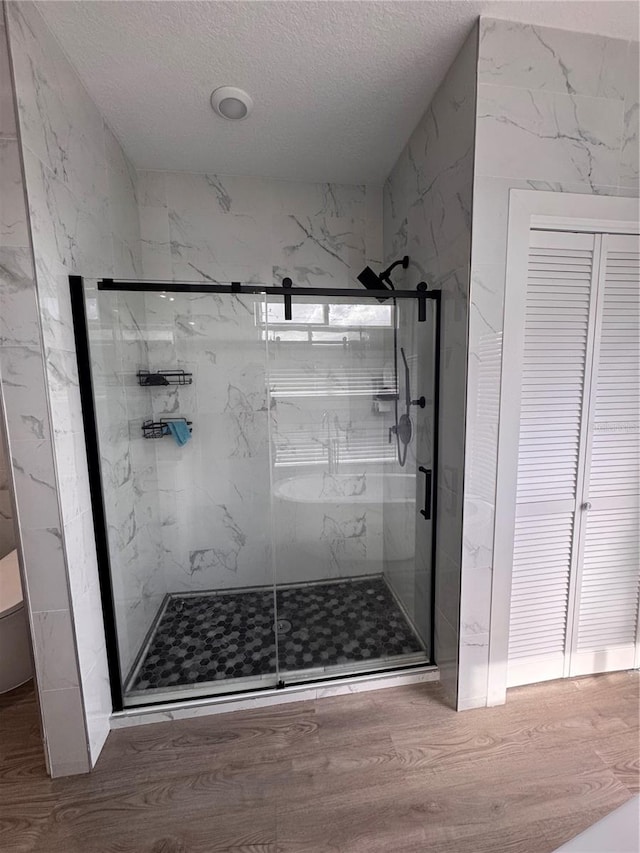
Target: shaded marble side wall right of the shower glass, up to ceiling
427	215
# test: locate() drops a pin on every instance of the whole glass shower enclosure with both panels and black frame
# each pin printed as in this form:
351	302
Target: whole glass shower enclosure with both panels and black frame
255	525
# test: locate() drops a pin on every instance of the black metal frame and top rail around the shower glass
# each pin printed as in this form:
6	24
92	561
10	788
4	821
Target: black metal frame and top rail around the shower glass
85	380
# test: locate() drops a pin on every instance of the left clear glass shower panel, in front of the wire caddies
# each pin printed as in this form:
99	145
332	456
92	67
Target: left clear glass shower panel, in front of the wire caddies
188	525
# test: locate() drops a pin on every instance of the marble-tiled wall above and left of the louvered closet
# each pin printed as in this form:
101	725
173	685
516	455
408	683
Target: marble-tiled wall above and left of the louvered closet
557	111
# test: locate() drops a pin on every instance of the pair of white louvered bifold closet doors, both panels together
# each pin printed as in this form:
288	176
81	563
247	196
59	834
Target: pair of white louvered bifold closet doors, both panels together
575	569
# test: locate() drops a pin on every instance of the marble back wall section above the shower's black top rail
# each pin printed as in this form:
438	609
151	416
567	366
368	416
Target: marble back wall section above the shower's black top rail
197	227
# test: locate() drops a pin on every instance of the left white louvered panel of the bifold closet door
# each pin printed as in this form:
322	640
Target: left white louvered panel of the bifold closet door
559	328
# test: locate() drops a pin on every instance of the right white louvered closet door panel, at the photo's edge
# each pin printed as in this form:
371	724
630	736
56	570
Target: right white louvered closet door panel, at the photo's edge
606	610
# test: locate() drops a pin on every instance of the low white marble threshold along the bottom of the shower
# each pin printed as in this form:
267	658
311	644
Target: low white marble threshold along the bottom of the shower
162	712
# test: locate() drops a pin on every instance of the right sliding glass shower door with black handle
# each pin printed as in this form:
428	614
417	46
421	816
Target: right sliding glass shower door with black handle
350	440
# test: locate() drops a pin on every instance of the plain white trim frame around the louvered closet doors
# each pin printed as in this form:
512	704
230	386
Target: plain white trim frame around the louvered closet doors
529	209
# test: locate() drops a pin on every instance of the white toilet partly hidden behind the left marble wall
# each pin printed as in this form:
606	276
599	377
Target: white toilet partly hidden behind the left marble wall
15	653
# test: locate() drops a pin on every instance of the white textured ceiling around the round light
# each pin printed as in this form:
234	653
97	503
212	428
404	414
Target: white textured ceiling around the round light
338	86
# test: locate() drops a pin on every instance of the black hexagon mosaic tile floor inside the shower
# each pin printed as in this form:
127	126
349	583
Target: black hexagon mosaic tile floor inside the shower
230	635
